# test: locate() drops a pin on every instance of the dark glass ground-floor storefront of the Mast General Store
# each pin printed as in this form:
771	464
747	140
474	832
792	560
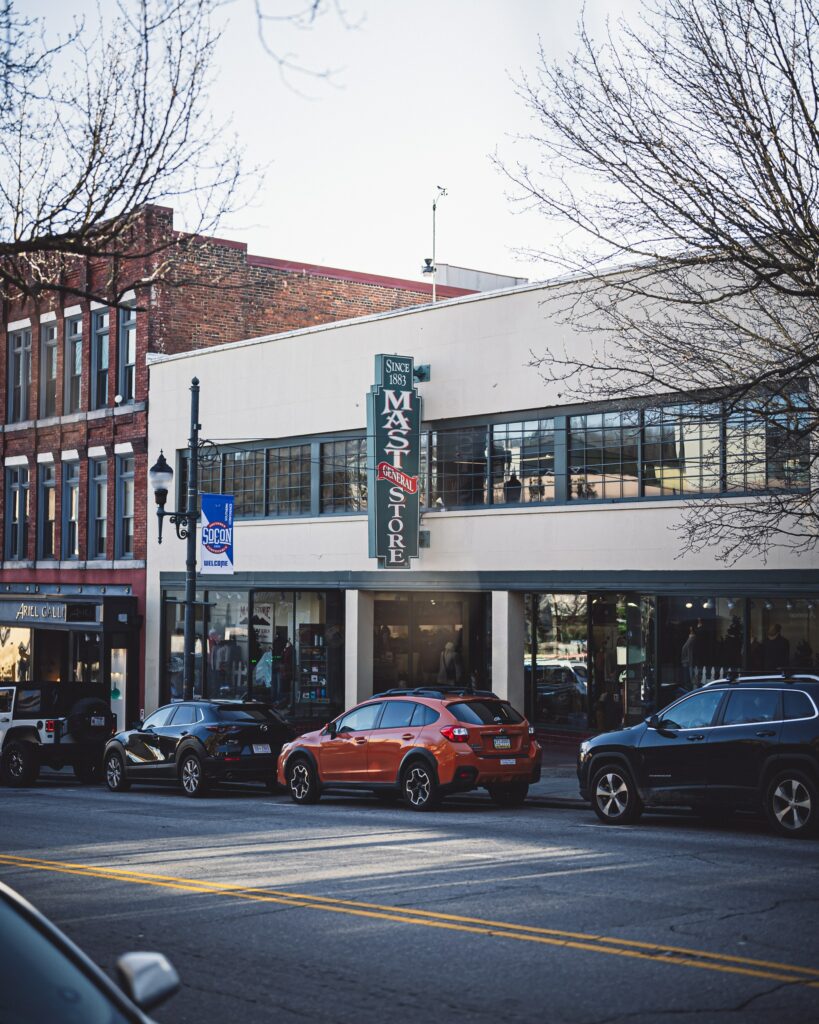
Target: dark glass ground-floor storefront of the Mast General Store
595	650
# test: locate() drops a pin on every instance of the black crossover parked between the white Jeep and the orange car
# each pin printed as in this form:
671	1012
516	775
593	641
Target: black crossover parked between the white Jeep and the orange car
199	744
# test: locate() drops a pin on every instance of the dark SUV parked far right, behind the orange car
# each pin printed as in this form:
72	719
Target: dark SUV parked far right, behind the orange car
745	744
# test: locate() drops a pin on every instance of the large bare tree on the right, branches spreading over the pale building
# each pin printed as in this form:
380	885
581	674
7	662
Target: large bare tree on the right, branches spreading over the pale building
681	153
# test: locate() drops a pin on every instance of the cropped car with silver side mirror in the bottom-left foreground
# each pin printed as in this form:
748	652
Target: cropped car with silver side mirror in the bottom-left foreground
47	979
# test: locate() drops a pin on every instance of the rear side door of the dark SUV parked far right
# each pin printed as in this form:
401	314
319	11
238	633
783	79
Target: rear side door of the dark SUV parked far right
747	735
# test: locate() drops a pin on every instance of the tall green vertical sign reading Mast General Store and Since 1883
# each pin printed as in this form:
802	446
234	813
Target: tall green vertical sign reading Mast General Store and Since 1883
394	452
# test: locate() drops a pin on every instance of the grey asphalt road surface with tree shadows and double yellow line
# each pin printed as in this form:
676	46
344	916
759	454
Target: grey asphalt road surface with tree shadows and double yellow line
353	912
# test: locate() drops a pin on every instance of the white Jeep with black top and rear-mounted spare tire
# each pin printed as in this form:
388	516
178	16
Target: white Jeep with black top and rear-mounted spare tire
52	724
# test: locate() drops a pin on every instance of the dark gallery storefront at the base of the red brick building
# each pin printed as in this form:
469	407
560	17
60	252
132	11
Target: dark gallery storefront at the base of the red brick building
83	639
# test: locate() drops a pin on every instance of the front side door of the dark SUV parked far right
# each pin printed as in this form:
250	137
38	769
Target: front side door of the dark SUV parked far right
672	752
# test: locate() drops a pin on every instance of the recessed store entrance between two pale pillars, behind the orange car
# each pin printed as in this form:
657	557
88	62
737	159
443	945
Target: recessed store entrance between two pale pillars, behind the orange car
429	641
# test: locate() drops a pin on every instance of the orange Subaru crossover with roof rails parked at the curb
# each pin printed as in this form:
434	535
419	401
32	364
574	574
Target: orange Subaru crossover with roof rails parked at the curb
422	745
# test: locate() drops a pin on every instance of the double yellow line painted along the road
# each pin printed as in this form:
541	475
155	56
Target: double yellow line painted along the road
679	956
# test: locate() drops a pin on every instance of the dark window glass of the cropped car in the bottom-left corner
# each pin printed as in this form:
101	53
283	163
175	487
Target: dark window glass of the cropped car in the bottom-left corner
38	983
